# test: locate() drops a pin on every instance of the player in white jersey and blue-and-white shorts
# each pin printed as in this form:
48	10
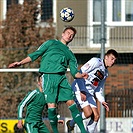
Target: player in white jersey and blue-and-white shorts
86	90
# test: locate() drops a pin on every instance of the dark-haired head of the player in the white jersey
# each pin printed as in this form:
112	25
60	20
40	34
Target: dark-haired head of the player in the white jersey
110	57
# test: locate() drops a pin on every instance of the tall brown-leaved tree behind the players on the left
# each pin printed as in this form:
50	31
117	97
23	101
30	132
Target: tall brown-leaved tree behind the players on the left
21	35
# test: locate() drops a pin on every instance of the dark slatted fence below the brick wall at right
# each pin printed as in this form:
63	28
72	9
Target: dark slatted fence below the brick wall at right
121	103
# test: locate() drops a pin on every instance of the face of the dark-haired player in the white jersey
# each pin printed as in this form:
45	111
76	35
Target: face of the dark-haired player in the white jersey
110	60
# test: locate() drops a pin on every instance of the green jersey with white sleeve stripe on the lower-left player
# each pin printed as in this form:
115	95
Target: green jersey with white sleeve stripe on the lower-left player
34	102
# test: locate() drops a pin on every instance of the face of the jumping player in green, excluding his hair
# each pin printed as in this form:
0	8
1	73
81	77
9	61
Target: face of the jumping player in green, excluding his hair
67	36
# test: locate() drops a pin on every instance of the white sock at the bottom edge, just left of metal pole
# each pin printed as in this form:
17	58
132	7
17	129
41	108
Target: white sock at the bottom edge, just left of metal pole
91	126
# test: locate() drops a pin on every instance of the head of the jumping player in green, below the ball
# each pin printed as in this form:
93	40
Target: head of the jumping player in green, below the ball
68	34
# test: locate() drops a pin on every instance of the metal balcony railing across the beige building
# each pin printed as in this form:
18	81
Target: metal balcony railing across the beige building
89	37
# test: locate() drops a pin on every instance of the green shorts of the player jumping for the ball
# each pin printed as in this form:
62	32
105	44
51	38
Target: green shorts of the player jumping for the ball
56	88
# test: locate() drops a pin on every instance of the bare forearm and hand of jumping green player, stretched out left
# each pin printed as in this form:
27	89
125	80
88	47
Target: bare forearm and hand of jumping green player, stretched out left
22	62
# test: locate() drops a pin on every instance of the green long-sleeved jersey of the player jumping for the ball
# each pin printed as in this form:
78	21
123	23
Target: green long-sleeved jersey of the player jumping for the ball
56	57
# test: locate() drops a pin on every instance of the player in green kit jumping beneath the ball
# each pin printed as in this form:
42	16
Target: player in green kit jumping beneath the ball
56	57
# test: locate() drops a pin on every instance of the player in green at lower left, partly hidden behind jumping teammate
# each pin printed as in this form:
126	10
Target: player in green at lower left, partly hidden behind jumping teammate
34	102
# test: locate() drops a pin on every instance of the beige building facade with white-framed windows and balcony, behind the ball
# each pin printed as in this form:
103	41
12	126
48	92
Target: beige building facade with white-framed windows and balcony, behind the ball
118	24
